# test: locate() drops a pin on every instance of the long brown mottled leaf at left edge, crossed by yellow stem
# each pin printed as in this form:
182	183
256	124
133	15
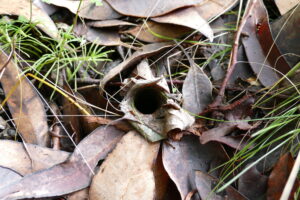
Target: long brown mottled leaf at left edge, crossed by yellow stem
25	105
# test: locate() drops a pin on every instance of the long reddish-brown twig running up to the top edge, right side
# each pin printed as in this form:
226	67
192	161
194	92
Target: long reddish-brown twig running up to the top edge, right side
233	61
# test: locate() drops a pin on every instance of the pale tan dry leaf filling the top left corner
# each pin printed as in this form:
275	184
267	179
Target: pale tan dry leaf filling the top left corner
36	15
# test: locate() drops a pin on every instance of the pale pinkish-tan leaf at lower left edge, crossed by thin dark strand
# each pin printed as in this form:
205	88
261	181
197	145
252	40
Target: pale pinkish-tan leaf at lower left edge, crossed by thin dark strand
14	156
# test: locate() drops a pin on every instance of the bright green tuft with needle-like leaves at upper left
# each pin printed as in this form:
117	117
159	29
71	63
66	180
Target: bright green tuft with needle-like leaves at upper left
48	56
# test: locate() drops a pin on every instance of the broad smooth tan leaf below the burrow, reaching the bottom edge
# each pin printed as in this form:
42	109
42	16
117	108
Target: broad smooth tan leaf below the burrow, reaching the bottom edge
127	172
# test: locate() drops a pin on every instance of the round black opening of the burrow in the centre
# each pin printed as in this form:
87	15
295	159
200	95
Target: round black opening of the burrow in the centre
147	100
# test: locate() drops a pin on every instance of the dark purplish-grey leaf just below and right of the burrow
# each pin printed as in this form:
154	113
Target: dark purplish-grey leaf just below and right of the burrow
181	158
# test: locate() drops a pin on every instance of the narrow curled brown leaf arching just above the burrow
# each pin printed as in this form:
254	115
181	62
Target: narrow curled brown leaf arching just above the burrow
146	51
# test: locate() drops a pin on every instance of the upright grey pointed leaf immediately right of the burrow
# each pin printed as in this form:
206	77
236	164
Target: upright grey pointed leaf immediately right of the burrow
196	90
